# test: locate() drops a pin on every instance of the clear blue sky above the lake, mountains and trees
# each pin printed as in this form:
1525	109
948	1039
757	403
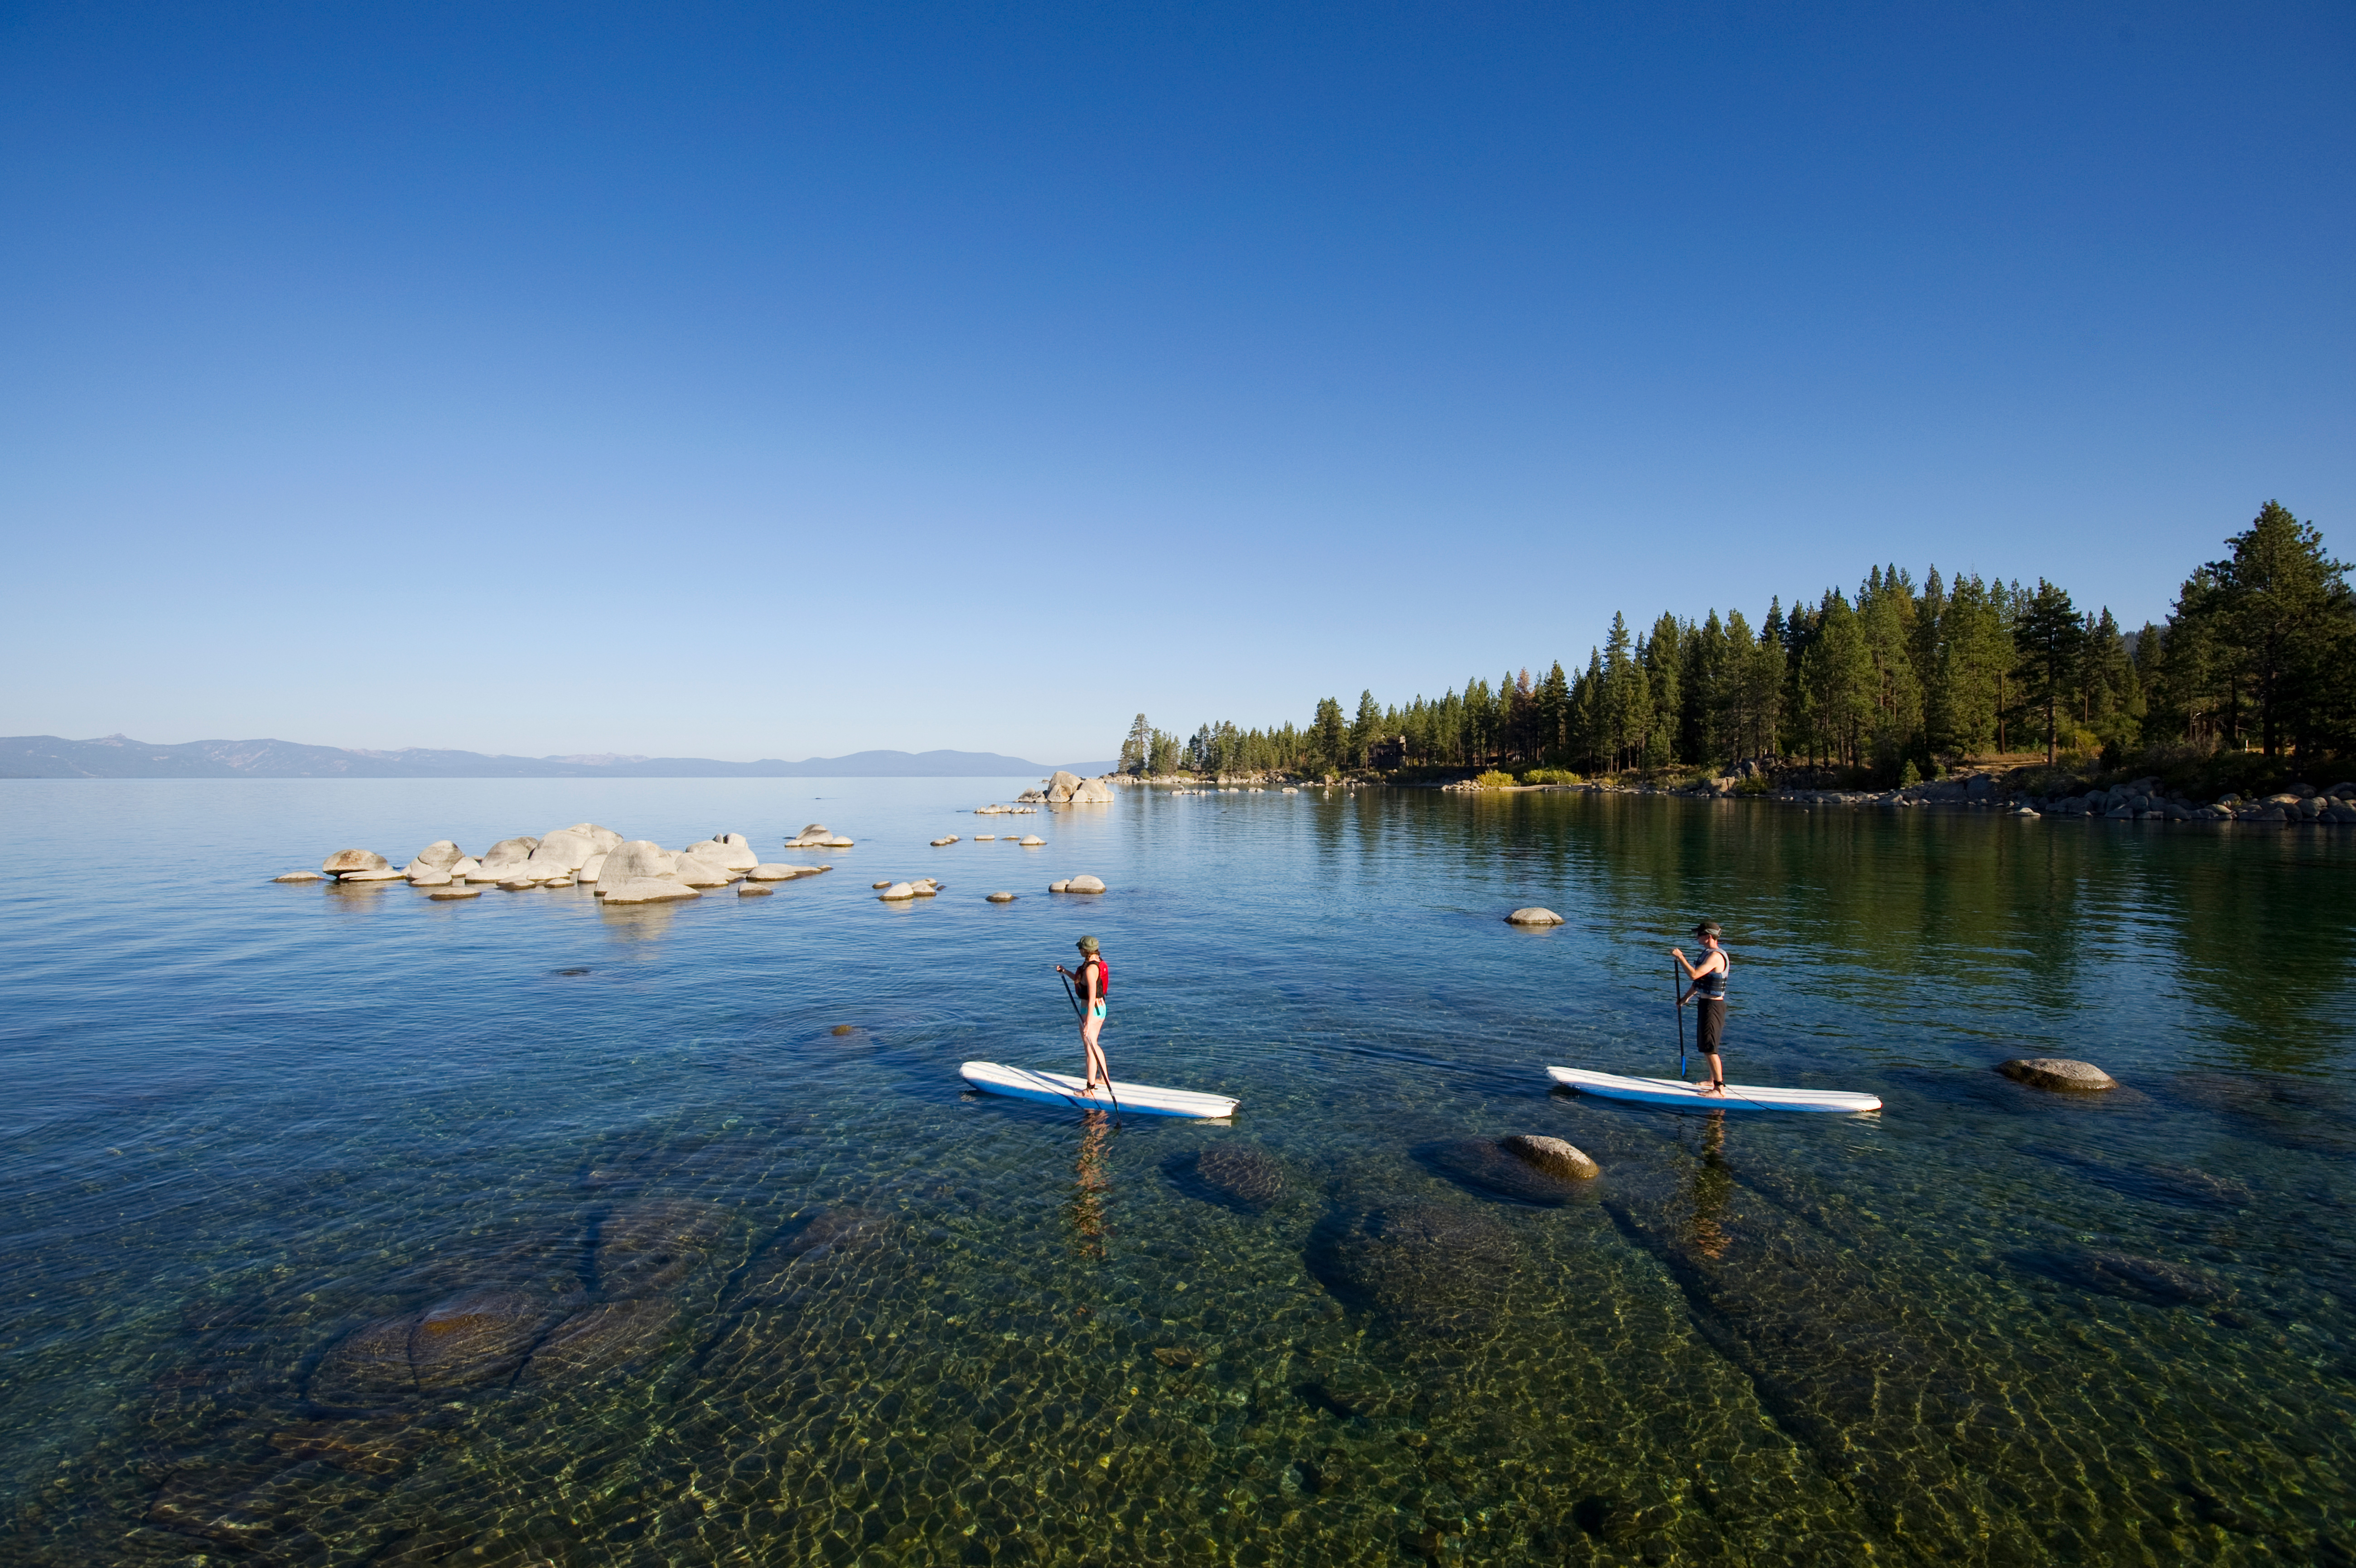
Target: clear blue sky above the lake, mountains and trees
795	380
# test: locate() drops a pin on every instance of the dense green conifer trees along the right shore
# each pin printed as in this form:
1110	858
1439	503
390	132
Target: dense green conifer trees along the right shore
2246	689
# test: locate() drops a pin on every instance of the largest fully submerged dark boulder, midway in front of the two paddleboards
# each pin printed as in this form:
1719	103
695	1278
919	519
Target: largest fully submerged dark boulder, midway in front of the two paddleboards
1422	1268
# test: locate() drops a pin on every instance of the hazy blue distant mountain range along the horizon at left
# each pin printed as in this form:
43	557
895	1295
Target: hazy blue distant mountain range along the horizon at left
114	757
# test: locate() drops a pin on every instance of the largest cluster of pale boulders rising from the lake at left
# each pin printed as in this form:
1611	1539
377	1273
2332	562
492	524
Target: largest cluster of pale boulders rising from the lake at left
621	870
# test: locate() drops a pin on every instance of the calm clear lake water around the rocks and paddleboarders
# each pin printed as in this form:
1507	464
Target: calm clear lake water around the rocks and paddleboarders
722	1265
